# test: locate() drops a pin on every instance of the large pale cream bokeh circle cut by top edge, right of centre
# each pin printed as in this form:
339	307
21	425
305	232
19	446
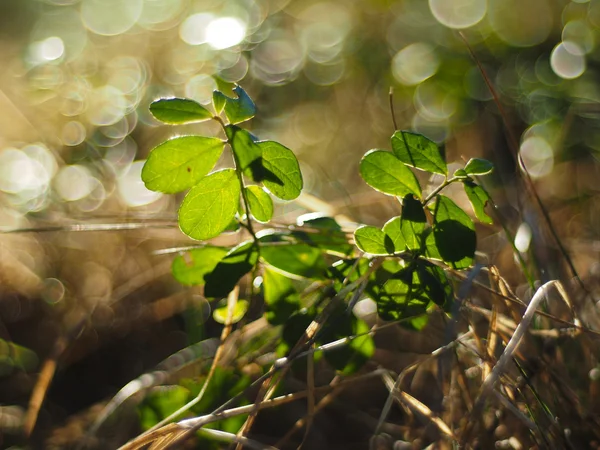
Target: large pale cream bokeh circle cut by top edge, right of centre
458	14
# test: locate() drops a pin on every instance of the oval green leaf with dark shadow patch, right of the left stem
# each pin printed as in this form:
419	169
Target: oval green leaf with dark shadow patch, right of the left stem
282	176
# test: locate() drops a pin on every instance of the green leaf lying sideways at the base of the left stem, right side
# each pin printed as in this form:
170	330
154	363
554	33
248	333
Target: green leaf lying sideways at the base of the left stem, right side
297	259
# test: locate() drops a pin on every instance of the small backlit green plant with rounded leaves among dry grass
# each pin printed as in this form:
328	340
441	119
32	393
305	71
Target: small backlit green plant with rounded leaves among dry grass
307	269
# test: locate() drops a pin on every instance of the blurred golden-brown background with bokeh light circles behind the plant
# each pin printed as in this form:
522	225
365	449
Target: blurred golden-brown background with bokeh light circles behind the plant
84	280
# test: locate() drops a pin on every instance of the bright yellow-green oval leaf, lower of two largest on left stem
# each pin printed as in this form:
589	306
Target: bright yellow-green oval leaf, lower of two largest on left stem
208	207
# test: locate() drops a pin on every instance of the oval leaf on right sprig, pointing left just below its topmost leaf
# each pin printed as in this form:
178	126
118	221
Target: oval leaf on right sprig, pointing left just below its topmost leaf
386	173
